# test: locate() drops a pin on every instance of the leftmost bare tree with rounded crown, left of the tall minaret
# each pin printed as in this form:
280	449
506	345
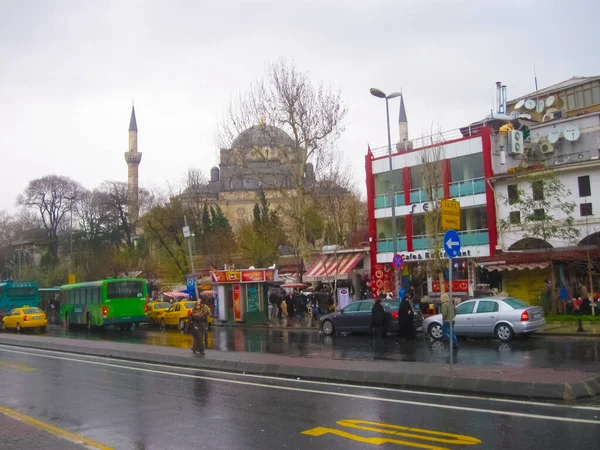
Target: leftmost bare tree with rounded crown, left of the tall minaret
53	196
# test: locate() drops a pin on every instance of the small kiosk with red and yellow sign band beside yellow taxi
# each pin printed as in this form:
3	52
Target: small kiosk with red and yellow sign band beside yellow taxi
242	294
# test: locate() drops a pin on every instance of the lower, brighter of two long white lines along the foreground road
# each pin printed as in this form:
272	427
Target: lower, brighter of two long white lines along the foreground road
316	391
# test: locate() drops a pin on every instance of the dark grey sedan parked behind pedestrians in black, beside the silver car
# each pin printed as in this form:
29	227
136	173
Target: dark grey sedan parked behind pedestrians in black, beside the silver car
356	318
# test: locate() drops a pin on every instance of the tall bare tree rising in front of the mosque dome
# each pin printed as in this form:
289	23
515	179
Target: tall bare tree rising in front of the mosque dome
313	118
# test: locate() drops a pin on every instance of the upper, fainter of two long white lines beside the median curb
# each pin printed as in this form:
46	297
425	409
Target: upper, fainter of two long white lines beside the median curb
324	383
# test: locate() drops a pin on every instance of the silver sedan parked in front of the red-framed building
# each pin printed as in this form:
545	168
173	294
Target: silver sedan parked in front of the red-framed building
491	316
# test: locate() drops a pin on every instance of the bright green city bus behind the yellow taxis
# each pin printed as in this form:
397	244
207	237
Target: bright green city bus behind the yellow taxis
122	302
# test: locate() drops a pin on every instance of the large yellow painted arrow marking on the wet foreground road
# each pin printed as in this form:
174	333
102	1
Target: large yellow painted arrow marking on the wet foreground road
384	428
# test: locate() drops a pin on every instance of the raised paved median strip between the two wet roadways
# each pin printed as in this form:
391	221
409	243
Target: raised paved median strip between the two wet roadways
482	380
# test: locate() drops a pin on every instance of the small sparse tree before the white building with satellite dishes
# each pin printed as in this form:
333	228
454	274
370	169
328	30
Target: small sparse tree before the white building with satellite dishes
540	213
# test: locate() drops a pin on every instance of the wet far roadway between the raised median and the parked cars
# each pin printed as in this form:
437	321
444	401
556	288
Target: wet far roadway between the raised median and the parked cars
539	352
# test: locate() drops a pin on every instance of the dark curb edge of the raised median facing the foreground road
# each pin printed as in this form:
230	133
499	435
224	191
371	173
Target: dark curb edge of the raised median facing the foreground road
445	383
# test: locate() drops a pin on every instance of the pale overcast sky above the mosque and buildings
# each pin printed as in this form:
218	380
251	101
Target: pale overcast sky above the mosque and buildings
70	70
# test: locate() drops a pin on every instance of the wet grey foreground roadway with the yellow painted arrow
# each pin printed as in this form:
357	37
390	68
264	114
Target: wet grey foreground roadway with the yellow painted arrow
137	406
